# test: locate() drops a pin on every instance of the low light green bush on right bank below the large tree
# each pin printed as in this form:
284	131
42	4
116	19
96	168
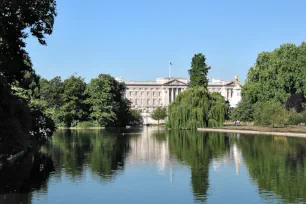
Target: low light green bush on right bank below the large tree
270	113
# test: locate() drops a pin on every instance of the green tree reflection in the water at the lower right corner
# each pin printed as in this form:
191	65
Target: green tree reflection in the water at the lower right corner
277	164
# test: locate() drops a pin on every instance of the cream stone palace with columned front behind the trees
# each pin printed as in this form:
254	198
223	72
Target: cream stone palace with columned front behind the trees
148	95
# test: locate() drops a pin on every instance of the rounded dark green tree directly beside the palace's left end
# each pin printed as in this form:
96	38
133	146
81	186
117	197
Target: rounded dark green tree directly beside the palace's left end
107	103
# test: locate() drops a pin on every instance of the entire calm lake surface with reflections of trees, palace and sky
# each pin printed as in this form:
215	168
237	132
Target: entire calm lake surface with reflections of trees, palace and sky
151	165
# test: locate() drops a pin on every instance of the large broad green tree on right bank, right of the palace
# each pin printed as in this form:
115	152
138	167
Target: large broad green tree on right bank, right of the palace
278	75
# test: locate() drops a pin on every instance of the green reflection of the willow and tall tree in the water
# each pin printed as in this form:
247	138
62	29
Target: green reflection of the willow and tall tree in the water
197	149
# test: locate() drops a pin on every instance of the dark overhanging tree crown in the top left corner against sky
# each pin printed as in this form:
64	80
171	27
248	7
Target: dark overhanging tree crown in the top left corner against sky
16	18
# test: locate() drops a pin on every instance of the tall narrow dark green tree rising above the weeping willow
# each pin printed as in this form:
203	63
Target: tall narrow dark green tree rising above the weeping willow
198	72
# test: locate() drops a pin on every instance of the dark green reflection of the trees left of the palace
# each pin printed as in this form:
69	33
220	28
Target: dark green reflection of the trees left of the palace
101	151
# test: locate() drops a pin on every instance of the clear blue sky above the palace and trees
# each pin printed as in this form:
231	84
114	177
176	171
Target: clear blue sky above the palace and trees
135	39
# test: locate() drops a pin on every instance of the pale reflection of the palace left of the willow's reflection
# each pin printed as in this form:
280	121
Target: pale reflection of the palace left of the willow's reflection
147	148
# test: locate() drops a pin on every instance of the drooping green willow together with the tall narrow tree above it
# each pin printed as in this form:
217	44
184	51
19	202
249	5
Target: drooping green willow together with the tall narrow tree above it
196	107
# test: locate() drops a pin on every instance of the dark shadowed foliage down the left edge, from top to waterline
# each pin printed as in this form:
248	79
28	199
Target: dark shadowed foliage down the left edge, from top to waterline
23	123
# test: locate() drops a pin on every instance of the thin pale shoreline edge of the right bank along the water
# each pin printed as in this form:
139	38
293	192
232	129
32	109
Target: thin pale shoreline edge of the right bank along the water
253	132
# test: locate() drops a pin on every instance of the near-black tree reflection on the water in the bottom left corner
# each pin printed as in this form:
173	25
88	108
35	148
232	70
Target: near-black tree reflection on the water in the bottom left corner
18	181
